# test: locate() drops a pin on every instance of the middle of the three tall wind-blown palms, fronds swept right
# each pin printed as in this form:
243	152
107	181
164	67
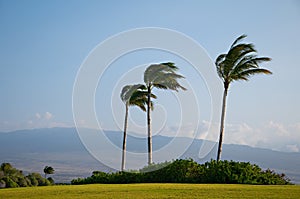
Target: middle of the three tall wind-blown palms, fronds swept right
162	76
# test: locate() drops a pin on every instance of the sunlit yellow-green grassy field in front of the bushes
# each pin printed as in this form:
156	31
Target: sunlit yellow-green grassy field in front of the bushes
153	191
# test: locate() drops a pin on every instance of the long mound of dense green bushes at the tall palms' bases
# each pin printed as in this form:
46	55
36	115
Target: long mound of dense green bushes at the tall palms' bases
189	171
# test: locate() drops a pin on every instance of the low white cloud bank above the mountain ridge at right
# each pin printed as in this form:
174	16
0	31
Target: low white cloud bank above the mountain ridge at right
271	135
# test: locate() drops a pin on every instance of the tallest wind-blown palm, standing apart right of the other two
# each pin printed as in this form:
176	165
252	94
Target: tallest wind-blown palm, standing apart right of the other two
239	63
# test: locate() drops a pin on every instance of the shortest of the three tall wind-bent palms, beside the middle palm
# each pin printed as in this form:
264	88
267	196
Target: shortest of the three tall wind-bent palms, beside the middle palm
132	95
